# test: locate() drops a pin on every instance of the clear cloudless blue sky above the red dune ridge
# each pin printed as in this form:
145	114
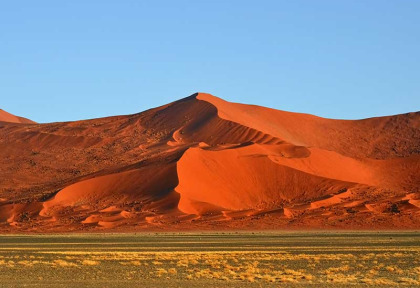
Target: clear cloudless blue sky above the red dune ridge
70	60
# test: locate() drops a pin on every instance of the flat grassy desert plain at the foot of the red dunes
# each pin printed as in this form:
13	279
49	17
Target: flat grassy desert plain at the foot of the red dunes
260	259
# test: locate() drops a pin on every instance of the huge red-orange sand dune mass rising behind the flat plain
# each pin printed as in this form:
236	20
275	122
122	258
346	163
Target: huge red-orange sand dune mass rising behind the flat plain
202	163
